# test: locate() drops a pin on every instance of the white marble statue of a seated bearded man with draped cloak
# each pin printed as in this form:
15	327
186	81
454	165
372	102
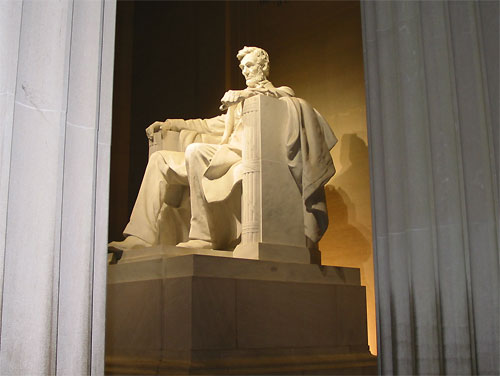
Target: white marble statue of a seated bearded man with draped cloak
200	186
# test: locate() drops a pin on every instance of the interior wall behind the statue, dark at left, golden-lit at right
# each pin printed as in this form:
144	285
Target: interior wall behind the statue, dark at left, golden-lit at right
178	57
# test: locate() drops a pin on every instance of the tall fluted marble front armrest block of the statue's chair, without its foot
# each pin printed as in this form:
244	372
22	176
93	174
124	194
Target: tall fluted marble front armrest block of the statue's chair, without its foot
275	200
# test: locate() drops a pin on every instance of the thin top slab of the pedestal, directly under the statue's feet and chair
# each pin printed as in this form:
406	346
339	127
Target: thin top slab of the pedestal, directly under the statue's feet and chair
175	262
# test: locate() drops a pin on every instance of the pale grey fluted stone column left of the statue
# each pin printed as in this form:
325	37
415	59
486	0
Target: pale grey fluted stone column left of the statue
55	141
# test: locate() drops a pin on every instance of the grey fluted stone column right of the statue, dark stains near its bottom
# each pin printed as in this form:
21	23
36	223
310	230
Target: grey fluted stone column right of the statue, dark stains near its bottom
432	95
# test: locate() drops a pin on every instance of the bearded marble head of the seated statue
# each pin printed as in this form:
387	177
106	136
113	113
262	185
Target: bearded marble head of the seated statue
254	64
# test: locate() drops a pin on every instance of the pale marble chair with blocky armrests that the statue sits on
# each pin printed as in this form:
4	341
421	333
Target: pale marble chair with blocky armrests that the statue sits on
272	219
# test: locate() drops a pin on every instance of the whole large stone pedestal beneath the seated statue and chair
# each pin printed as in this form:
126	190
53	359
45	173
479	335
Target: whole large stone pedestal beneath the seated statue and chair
190	312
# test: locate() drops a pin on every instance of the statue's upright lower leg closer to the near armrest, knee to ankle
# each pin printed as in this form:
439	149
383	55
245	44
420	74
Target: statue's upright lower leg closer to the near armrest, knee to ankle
198	158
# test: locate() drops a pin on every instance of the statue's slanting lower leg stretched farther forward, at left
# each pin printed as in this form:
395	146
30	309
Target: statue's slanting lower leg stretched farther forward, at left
153	193
